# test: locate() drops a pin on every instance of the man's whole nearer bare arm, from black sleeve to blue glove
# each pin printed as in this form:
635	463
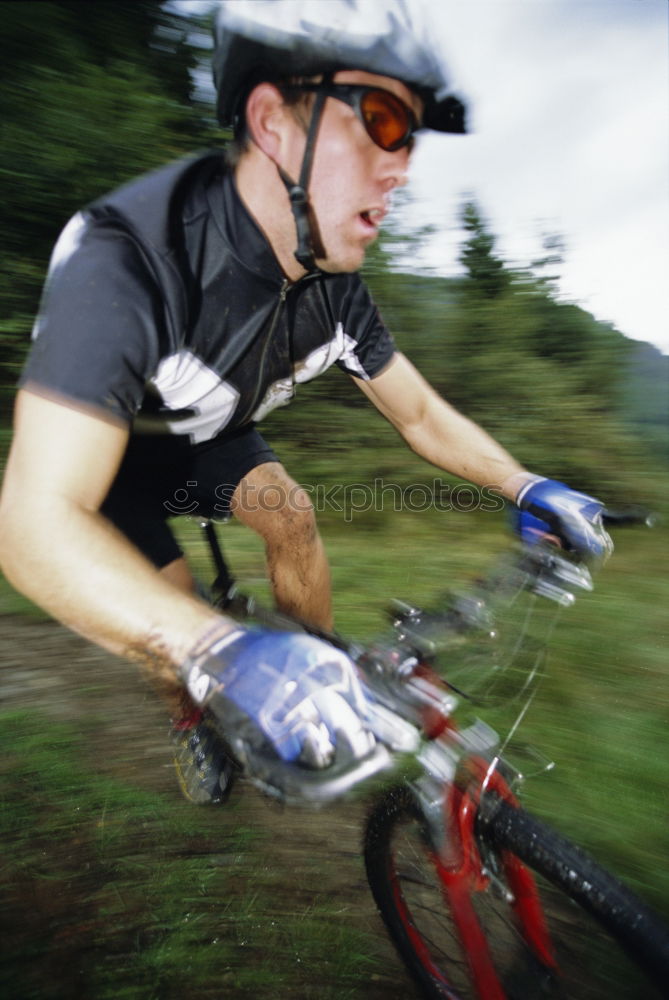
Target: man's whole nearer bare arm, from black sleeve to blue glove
57	548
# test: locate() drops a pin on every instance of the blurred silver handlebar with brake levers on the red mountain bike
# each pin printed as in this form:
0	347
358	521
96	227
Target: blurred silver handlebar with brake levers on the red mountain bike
402	695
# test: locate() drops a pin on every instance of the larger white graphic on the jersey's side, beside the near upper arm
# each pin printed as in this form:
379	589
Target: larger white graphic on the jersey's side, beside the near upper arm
184	382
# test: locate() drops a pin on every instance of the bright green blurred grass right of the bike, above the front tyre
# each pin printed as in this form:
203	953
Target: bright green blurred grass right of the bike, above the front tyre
604	713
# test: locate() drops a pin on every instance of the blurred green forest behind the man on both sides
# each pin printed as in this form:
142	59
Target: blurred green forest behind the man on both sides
89	102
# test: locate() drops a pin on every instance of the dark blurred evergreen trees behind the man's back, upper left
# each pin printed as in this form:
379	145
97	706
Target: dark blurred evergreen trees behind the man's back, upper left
92	94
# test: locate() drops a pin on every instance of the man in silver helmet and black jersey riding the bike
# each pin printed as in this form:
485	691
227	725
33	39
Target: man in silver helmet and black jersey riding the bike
177	312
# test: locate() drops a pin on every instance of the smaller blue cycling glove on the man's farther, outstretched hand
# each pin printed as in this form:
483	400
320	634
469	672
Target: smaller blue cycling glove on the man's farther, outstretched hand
548	507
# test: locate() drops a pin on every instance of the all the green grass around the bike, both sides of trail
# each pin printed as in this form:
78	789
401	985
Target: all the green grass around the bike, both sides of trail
160	905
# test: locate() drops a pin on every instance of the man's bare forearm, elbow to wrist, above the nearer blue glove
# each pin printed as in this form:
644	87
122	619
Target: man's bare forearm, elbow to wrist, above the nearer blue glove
80	569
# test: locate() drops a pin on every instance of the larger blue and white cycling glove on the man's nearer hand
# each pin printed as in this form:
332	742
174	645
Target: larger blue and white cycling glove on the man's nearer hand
299	693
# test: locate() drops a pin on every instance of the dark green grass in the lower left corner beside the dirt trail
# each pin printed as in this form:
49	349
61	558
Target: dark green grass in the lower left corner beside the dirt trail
109	891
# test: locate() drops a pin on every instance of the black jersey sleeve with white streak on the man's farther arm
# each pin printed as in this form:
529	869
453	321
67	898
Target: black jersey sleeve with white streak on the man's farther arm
368	344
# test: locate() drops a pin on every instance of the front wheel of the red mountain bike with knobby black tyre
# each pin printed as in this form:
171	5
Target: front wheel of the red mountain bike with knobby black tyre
553	923
